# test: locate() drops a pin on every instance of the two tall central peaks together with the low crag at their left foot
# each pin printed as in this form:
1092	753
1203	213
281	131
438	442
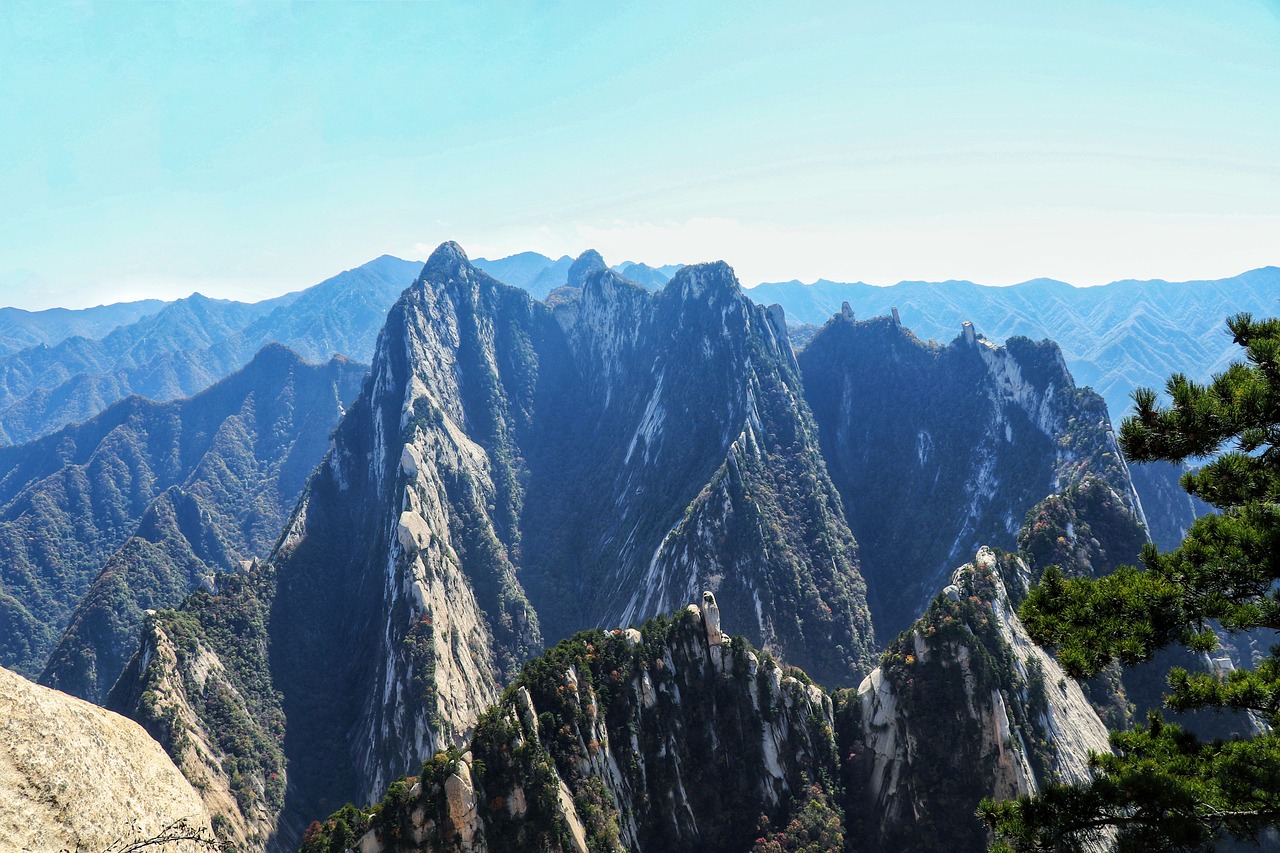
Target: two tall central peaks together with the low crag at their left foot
514	471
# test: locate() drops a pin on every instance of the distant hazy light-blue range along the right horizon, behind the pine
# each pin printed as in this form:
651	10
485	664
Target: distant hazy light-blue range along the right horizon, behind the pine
1116	339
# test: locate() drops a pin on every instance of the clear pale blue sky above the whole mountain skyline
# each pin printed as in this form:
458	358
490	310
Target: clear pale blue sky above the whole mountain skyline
248	149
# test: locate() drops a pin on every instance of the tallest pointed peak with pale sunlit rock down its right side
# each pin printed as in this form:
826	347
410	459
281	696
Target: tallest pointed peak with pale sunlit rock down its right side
397	612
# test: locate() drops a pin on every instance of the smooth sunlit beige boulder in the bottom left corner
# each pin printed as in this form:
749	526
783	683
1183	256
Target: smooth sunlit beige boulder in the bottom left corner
75	777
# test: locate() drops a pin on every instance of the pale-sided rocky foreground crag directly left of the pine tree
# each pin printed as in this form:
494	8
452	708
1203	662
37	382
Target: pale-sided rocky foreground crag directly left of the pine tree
966	706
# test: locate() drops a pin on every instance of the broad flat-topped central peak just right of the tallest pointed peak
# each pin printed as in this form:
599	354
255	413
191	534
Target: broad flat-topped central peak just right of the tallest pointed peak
692	430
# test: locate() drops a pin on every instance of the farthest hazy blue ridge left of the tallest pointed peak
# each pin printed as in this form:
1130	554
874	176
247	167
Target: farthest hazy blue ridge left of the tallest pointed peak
190	345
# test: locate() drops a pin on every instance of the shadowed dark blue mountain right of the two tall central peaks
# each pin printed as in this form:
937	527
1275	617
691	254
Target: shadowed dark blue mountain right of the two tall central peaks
963	439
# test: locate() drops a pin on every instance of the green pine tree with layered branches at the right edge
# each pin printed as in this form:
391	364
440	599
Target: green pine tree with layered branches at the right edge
1164	790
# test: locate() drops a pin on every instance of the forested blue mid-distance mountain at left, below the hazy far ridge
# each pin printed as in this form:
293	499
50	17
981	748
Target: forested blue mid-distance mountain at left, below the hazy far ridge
222	469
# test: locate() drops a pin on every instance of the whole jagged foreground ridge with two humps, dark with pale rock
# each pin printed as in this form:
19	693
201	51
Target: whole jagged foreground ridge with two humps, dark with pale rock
678	737
